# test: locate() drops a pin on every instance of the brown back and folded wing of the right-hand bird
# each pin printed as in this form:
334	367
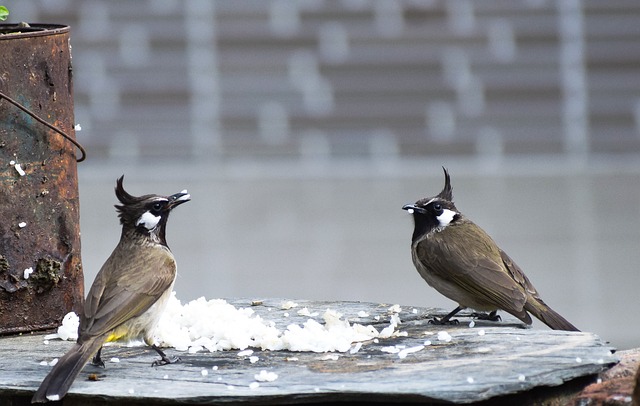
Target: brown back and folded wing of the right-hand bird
474	265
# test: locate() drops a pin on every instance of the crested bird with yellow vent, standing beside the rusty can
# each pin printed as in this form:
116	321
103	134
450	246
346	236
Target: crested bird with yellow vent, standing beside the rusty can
129	293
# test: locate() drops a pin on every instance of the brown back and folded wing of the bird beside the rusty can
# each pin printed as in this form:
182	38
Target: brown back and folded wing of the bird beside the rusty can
126	286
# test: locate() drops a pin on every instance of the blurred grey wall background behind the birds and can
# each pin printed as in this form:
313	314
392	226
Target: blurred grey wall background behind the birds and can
301	128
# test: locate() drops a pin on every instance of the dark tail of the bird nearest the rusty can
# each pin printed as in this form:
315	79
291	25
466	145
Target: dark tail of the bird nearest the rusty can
57	382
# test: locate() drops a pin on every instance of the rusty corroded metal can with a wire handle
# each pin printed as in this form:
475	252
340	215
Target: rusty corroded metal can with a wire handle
39	208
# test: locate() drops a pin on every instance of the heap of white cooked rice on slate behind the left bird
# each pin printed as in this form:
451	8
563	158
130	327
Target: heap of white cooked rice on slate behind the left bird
216	325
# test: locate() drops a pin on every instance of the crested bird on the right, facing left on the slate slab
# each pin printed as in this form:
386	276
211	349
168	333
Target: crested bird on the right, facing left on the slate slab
462	262
